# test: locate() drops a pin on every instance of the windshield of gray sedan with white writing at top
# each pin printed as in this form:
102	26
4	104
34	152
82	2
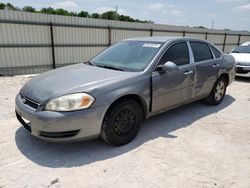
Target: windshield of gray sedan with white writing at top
127	55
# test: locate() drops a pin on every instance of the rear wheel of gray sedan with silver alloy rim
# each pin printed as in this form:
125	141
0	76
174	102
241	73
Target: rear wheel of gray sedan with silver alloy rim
217	95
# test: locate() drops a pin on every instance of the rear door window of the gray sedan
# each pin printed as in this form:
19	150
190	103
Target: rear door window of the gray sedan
201	51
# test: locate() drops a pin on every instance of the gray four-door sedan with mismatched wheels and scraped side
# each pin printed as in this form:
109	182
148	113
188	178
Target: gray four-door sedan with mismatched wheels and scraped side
113	93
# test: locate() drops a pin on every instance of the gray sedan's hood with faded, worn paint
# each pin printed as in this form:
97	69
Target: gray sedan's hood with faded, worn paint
70	79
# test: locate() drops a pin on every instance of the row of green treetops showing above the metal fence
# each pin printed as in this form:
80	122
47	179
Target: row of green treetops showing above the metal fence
110	15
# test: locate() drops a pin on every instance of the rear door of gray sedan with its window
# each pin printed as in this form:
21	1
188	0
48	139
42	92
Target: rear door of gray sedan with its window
207	68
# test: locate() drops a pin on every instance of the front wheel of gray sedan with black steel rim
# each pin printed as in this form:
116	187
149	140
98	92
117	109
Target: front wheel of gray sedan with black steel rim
122	122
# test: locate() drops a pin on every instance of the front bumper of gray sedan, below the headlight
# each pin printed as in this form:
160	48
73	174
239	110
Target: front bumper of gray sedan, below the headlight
60	126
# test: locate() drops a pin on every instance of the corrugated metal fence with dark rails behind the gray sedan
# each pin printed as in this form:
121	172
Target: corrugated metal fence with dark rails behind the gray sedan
33	43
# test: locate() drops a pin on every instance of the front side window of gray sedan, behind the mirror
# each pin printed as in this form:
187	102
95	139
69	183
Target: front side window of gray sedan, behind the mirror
178	54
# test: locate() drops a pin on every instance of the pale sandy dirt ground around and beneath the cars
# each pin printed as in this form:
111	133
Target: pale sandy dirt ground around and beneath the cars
193	146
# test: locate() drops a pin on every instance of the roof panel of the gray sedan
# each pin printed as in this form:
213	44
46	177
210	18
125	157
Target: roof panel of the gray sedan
159	39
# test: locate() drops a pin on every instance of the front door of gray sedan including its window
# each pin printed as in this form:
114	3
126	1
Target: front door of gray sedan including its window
173	88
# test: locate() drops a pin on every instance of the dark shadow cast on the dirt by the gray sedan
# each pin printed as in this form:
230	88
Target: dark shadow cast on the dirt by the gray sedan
77	154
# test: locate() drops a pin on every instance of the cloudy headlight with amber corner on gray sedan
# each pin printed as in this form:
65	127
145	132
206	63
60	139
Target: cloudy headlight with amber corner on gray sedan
70	102
